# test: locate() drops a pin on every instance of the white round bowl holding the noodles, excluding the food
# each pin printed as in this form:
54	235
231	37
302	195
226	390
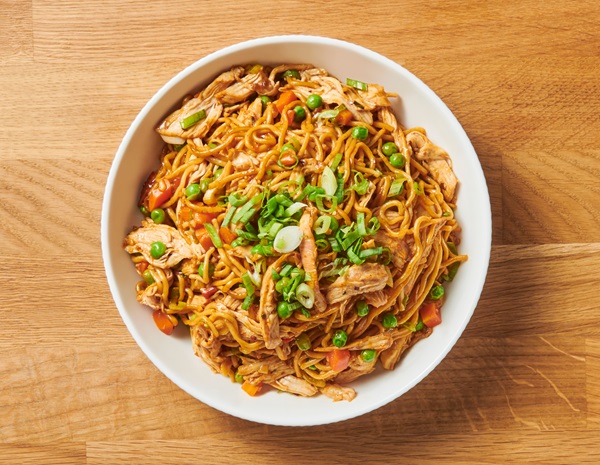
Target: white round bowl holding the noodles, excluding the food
417	106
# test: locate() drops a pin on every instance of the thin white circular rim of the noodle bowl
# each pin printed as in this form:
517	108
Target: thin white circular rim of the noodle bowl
118	158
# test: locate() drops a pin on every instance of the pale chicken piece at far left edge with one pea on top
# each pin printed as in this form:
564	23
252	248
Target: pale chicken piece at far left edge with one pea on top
140	240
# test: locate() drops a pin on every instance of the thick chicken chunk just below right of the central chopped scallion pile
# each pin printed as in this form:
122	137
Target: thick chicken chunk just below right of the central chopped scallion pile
359	279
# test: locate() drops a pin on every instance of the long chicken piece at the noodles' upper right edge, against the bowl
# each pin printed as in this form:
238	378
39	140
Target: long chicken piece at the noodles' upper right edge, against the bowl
436	160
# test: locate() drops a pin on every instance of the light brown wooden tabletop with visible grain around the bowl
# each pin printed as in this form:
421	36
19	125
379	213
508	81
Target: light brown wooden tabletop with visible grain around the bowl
522	384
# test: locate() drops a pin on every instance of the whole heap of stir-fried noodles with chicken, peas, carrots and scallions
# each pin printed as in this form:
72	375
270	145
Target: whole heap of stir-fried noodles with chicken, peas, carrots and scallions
297	228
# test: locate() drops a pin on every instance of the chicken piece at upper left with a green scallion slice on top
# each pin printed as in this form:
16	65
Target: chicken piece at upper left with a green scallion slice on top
171	131
